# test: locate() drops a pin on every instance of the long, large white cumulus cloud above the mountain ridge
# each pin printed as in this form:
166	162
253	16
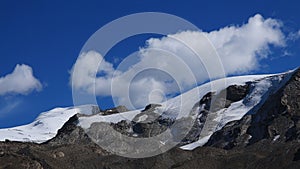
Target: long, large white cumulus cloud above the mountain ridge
240	49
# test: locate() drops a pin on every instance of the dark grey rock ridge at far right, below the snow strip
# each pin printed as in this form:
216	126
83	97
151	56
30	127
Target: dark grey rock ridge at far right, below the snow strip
276	120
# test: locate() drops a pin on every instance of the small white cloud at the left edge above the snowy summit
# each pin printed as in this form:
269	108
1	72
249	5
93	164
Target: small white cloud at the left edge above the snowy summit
20	81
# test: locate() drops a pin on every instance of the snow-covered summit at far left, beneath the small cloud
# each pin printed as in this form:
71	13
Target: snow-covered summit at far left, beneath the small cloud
44	127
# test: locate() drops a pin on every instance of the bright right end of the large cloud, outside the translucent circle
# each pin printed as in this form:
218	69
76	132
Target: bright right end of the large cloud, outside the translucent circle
240	48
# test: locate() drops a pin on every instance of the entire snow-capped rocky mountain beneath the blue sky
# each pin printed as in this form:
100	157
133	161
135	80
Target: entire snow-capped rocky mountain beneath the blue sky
255	125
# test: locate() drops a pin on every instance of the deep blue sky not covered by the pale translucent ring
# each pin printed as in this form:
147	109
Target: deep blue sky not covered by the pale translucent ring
48	37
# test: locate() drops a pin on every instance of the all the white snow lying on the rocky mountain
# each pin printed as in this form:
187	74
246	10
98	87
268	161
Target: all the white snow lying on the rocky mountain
46	125
